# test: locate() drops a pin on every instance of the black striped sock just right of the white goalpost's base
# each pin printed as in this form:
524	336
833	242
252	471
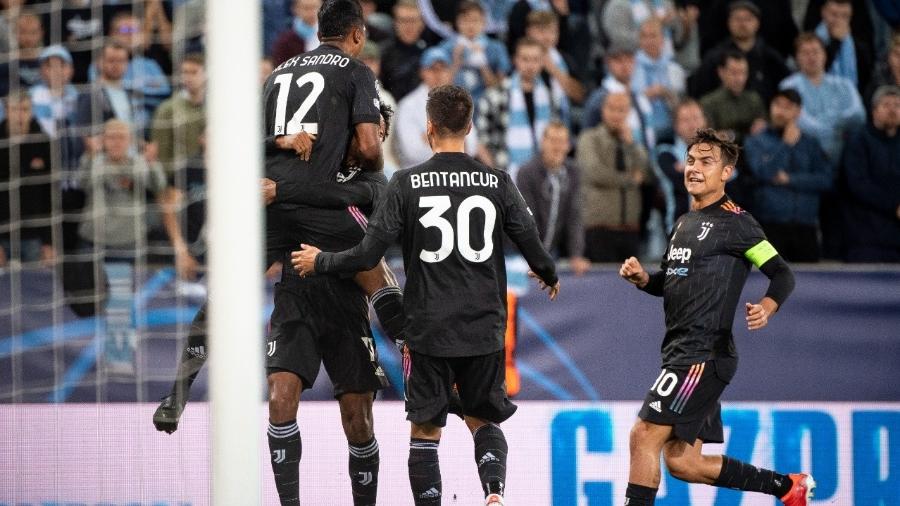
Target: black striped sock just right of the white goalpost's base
285	449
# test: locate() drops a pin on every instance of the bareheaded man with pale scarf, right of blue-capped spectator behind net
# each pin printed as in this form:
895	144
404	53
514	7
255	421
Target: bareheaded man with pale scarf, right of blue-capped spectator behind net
108	98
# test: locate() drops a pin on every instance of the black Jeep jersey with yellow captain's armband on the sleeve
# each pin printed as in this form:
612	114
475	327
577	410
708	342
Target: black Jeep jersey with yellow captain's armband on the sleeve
710	254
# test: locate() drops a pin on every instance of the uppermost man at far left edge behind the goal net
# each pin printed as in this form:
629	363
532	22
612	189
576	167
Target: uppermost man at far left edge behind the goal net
23	69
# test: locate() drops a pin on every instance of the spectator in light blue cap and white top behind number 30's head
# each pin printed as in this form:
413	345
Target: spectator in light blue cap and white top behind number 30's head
410	141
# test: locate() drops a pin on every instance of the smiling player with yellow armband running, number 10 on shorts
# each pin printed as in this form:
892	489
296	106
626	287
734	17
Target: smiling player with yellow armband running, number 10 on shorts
710	254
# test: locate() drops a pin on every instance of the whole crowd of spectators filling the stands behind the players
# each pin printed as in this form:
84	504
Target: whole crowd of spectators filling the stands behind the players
588	103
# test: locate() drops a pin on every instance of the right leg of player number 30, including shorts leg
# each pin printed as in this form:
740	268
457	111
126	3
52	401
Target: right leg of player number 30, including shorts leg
481	381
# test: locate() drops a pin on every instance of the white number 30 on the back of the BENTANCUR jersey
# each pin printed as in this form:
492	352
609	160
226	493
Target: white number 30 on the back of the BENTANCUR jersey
434	218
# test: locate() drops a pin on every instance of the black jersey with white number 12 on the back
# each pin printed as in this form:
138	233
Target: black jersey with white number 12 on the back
325	92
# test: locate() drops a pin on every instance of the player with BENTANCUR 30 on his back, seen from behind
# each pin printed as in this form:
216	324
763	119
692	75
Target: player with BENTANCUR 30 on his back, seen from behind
450	214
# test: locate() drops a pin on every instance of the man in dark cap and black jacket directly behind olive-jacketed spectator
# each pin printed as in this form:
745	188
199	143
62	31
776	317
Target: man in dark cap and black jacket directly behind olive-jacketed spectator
766	67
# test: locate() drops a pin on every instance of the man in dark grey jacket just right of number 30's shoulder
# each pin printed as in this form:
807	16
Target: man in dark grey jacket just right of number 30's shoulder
551	186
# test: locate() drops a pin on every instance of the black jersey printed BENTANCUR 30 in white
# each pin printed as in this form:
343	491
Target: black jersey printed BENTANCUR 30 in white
450	213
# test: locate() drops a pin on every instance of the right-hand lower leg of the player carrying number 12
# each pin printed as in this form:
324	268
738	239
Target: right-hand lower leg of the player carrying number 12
364	460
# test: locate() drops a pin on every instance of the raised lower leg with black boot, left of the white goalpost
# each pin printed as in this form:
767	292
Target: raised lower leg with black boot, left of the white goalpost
193	356
